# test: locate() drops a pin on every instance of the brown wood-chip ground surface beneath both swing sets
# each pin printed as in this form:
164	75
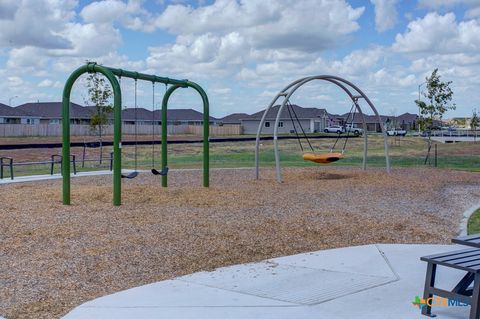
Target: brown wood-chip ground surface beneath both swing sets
55	257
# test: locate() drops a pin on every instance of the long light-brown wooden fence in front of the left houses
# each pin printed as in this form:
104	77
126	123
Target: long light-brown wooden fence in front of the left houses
17	130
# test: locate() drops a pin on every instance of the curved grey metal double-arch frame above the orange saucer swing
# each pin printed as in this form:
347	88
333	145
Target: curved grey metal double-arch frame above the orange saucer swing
297	84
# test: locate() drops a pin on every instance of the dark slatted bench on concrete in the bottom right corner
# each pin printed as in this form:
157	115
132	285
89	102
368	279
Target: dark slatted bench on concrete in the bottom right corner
467	260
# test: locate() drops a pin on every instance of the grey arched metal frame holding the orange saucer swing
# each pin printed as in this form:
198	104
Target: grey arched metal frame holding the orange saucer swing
349	88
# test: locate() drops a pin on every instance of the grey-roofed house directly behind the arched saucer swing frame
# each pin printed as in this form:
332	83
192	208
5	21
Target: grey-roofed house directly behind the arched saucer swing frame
311	119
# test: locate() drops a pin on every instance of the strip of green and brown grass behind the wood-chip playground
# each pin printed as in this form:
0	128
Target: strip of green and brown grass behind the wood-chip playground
404	152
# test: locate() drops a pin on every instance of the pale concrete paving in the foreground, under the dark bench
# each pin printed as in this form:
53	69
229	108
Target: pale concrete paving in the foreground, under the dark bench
369	282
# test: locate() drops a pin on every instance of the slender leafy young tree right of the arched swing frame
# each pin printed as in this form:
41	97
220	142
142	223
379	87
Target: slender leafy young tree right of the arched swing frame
438	98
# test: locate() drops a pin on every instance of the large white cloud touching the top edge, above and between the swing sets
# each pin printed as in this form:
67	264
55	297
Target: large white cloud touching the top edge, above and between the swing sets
267	24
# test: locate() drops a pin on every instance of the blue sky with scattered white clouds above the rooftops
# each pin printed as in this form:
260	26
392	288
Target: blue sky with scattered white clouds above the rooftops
244	51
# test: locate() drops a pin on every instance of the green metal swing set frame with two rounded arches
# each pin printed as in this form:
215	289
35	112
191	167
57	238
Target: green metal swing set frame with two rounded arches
111	74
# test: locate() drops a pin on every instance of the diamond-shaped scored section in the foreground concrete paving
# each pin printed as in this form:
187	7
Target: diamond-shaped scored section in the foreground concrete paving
299	285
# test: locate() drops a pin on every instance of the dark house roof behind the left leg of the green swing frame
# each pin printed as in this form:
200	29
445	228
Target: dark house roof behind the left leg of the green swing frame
54	110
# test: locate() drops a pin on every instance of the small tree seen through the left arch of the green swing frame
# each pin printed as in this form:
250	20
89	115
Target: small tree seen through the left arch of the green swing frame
99	95
